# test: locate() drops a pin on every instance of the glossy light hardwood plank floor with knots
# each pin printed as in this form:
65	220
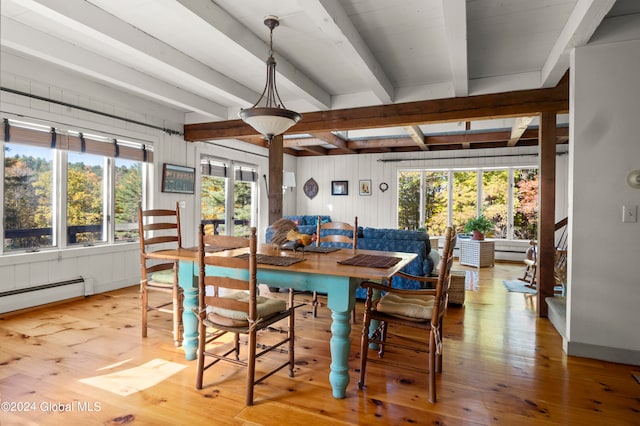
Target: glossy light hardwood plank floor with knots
502	365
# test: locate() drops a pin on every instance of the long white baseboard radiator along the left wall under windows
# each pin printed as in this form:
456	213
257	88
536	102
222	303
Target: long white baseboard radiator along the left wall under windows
22	298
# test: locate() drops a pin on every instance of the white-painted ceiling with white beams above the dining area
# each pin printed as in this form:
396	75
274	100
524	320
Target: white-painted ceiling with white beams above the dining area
206	58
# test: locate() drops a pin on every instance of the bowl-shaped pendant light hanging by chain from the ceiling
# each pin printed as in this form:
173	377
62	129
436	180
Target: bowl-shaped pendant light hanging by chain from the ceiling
272	118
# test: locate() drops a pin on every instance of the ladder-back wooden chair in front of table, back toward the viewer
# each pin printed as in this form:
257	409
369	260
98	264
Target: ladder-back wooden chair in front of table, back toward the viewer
228	303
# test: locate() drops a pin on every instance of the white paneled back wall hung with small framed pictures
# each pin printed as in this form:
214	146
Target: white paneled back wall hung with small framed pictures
380	209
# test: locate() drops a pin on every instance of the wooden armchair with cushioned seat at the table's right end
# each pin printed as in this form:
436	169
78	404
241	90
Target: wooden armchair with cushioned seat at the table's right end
422	310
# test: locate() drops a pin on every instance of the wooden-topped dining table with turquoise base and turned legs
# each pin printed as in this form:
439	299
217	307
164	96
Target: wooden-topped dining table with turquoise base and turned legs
332	271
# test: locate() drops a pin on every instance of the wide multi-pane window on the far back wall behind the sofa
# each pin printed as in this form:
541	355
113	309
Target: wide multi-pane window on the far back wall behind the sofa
432	199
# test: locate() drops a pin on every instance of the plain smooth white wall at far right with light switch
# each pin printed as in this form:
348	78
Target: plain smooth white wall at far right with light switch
604	286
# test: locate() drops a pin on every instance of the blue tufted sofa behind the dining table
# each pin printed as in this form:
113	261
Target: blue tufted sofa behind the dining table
383	240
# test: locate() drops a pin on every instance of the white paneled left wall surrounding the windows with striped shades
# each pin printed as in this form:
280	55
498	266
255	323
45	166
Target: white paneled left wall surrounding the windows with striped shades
104	268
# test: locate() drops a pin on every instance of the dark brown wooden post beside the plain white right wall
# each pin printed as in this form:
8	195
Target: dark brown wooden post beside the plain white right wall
547	202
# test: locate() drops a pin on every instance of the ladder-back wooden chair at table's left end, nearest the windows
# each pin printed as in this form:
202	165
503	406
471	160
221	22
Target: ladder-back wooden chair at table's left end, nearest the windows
159	229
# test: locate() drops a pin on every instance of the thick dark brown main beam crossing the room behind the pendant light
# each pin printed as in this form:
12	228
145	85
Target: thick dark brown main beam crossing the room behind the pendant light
480	107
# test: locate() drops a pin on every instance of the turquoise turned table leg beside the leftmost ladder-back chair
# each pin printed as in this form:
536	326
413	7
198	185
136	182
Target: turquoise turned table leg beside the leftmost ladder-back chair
188	281
